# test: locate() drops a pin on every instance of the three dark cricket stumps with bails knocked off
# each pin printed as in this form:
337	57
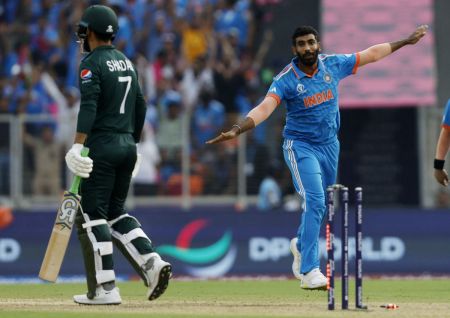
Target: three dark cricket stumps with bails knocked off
344	197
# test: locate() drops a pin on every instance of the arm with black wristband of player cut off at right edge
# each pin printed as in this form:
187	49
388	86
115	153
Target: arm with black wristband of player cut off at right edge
442	148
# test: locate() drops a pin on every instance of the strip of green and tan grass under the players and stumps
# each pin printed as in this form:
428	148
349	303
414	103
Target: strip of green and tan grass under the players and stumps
231	298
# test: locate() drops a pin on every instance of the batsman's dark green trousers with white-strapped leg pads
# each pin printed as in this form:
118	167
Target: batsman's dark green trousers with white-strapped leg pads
103	197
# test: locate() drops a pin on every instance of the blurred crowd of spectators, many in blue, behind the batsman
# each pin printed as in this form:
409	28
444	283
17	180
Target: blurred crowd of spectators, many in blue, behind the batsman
197	59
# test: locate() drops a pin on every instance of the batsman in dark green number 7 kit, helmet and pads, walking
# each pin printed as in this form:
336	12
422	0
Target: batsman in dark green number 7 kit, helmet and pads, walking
110	122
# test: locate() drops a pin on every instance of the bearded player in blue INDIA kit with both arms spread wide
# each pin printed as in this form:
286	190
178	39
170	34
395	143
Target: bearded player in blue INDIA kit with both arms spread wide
309	87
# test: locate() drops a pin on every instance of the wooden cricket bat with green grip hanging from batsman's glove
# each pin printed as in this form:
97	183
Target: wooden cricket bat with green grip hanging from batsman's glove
60	236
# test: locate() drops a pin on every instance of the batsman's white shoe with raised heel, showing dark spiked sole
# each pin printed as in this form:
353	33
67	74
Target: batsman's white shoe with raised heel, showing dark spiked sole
158	273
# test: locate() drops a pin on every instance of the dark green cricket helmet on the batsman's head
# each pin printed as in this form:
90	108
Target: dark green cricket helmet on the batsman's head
100	19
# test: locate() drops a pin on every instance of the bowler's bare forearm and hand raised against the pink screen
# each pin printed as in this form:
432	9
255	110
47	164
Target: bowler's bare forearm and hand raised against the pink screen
380	51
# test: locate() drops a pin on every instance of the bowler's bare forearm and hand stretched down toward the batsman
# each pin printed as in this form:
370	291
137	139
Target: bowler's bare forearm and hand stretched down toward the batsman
256	116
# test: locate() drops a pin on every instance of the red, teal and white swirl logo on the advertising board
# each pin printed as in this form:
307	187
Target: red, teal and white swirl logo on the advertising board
213	260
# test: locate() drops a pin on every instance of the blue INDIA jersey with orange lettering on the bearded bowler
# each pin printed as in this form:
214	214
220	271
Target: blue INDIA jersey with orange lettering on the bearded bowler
312	102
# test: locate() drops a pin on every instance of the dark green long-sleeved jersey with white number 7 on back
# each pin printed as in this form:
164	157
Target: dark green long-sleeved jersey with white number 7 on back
111	98
